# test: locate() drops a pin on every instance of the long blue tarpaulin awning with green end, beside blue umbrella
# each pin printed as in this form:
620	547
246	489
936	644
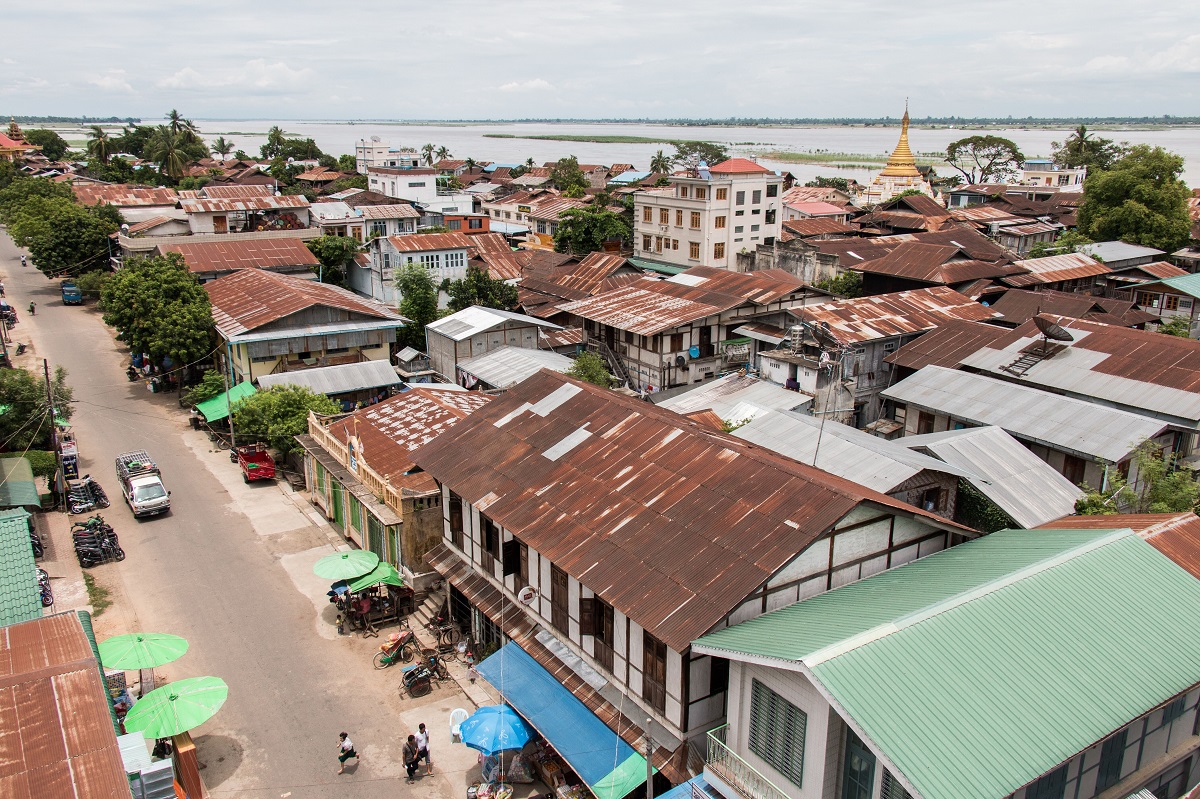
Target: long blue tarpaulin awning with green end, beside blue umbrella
603	760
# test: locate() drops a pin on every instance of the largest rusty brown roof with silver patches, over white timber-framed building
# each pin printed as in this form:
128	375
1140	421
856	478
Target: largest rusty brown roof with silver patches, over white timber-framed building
670	522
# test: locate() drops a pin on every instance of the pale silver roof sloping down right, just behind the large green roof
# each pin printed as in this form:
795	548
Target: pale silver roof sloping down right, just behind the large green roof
1022	484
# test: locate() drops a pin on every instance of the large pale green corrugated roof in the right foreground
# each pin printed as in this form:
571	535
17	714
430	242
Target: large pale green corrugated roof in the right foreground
979	670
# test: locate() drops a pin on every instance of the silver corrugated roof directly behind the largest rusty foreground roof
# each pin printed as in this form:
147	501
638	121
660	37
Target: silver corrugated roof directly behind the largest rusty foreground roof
842	450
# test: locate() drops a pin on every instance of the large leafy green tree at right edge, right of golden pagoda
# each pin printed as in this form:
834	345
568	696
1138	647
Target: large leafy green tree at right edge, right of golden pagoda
1141	200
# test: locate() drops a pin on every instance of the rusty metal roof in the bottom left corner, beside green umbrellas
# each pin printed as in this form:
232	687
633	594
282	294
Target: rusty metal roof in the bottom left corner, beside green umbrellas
57	740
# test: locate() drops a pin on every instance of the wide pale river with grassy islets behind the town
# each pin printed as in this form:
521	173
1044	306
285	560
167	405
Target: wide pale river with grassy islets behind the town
471	141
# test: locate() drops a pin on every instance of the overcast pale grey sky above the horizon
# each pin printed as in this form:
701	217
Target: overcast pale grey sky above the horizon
467	59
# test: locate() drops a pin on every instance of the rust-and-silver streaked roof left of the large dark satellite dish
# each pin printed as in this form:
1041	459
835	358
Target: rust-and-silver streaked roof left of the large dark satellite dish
869	319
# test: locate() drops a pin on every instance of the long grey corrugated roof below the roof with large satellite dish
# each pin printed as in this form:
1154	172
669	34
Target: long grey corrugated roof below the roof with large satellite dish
1095	432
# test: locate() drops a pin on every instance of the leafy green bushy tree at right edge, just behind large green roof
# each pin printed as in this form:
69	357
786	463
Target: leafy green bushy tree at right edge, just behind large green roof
1165	485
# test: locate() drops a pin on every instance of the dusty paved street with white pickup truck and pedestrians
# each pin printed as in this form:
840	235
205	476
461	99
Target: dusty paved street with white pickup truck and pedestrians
230	569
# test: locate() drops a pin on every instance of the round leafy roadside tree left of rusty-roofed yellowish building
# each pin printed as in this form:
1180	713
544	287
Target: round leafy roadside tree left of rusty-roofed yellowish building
160	309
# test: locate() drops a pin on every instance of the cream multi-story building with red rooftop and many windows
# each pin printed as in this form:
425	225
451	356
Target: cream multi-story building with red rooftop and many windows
707	217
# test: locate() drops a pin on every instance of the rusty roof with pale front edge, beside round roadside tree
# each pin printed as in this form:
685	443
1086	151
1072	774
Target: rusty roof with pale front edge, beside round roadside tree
251	298
